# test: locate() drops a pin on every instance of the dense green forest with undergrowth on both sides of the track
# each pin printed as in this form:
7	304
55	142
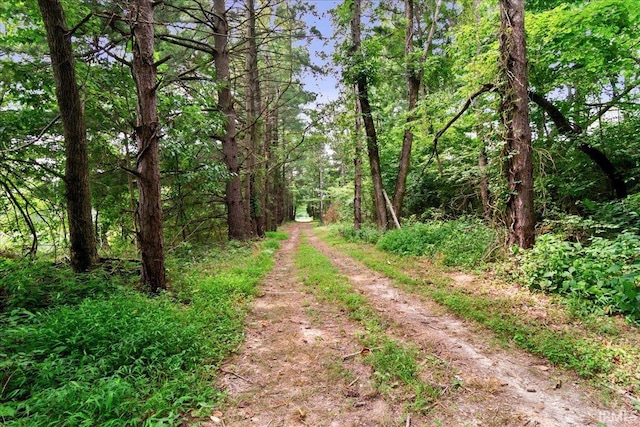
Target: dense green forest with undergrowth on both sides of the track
497	135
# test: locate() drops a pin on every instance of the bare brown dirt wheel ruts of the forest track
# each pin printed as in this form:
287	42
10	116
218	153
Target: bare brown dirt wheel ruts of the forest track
291	370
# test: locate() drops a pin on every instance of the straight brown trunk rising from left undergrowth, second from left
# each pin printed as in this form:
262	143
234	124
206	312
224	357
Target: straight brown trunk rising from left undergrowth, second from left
147	136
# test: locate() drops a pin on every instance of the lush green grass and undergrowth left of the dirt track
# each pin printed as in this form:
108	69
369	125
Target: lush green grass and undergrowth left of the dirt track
91	350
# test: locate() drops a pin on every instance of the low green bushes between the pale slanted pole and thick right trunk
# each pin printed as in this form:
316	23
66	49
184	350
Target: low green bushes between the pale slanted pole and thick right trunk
461	242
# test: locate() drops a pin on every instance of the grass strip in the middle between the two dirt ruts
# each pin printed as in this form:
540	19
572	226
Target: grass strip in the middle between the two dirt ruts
395	364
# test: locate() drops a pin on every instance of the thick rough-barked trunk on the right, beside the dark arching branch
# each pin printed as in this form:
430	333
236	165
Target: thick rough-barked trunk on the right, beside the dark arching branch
515	118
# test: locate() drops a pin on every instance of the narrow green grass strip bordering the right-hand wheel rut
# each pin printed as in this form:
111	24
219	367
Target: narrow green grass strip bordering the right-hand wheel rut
580	349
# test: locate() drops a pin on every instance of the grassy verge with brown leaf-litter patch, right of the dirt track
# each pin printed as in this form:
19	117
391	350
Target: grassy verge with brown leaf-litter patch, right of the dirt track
602	349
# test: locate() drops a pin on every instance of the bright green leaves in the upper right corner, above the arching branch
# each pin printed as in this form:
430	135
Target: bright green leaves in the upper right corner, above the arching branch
583	42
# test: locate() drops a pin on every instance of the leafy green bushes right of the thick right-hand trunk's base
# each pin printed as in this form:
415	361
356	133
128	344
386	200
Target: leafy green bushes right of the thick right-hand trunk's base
605	273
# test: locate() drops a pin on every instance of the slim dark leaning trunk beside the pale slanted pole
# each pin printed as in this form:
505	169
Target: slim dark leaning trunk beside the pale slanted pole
369	126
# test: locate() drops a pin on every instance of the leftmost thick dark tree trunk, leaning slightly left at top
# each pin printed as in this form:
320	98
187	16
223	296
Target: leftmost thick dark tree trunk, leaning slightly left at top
77	182
